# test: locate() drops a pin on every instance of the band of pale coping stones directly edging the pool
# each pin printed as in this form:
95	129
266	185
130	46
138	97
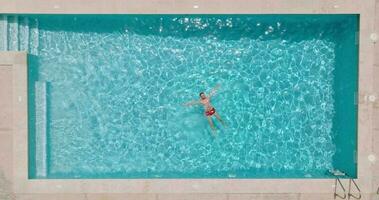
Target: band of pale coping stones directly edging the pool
367	177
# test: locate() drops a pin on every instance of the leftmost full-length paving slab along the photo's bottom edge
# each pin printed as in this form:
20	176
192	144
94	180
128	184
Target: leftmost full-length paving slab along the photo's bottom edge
50	197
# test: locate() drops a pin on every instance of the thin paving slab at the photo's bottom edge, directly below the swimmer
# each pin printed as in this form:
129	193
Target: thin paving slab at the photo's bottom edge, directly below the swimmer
192	197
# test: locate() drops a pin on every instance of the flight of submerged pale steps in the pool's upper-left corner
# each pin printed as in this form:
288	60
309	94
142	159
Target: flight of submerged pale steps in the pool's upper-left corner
19	33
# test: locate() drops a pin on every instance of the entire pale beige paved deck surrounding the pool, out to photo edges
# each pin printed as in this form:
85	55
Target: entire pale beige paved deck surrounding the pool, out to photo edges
13	116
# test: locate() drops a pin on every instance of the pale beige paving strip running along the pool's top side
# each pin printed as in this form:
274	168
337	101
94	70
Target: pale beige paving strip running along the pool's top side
177	6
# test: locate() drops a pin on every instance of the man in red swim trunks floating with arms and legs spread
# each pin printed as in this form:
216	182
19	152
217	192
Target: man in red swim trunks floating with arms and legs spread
209	109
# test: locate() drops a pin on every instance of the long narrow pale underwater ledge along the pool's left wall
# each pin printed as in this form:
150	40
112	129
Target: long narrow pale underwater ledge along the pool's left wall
41	128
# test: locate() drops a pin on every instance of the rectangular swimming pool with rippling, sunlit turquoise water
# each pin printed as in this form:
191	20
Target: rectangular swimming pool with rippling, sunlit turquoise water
106	95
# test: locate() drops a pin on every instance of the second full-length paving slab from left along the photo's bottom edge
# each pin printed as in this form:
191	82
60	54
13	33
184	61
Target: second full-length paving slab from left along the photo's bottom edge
121	197
